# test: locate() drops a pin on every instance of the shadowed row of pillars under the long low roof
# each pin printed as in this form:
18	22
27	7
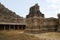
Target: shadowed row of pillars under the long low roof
12	27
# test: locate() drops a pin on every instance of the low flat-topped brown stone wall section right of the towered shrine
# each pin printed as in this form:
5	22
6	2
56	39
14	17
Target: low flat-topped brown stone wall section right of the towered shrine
51	24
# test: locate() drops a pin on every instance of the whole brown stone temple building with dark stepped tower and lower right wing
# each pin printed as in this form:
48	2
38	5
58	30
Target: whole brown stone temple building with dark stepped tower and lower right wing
37	23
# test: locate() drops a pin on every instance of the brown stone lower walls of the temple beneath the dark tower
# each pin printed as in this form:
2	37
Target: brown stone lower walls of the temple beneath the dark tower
38	25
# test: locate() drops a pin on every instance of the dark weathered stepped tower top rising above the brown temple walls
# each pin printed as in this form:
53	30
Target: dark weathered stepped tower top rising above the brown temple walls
34	11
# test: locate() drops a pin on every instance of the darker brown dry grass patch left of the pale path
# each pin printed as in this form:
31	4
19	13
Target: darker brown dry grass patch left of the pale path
16	35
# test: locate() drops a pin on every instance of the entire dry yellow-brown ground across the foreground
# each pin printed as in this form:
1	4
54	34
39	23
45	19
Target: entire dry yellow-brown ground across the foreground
20	35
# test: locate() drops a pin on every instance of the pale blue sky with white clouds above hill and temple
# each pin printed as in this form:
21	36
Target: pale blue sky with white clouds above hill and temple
50	8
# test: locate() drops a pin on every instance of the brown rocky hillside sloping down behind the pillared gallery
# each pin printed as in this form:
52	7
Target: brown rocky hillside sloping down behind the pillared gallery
7	15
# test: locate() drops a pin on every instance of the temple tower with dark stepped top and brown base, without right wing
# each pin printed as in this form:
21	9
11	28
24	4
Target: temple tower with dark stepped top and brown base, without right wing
34	19
